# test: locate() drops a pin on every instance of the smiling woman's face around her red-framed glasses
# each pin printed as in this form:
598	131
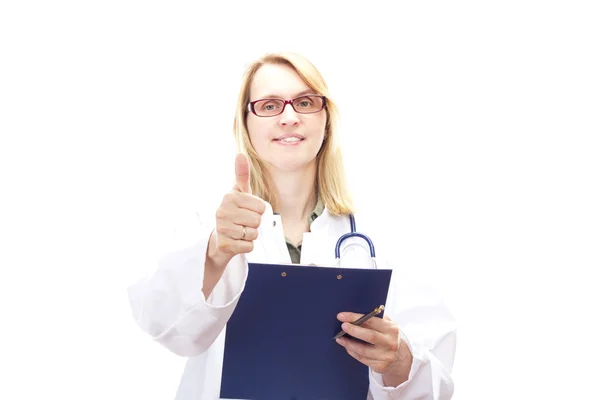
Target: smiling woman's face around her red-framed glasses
289	141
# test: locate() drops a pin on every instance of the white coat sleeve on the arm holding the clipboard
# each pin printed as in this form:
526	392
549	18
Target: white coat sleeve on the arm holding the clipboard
430	331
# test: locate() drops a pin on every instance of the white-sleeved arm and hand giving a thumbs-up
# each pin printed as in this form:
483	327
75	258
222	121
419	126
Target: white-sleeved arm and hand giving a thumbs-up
186	302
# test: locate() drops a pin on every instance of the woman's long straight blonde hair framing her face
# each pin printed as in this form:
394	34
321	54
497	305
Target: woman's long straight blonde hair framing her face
331	178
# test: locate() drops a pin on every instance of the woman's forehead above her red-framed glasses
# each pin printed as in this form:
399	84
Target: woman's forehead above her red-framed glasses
277	81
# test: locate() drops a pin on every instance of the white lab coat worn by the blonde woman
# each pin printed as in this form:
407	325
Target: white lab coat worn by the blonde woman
170	306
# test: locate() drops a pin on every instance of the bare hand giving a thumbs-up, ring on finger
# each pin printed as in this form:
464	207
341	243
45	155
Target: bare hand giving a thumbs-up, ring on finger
238	217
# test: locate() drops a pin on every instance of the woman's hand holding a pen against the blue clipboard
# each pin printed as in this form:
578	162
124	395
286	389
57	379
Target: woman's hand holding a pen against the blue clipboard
386	351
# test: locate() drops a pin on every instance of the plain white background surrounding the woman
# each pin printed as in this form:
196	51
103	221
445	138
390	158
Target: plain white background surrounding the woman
470	127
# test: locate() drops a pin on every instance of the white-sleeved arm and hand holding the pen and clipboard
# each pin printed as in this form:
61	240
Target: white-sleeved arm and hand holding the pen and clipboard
411	350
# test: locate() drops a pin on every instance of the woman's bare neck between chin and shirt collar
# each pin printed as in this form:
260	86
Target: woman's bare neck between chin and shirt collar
295	193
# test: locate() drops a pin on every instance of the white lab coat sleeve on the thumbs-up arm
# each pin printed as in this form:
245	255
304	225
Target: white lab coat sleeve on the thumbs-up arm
169	304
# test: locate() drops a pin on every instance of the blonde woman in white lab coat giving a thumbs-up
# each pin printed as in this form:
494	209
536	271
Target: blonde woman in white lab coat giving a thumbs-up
289	204
